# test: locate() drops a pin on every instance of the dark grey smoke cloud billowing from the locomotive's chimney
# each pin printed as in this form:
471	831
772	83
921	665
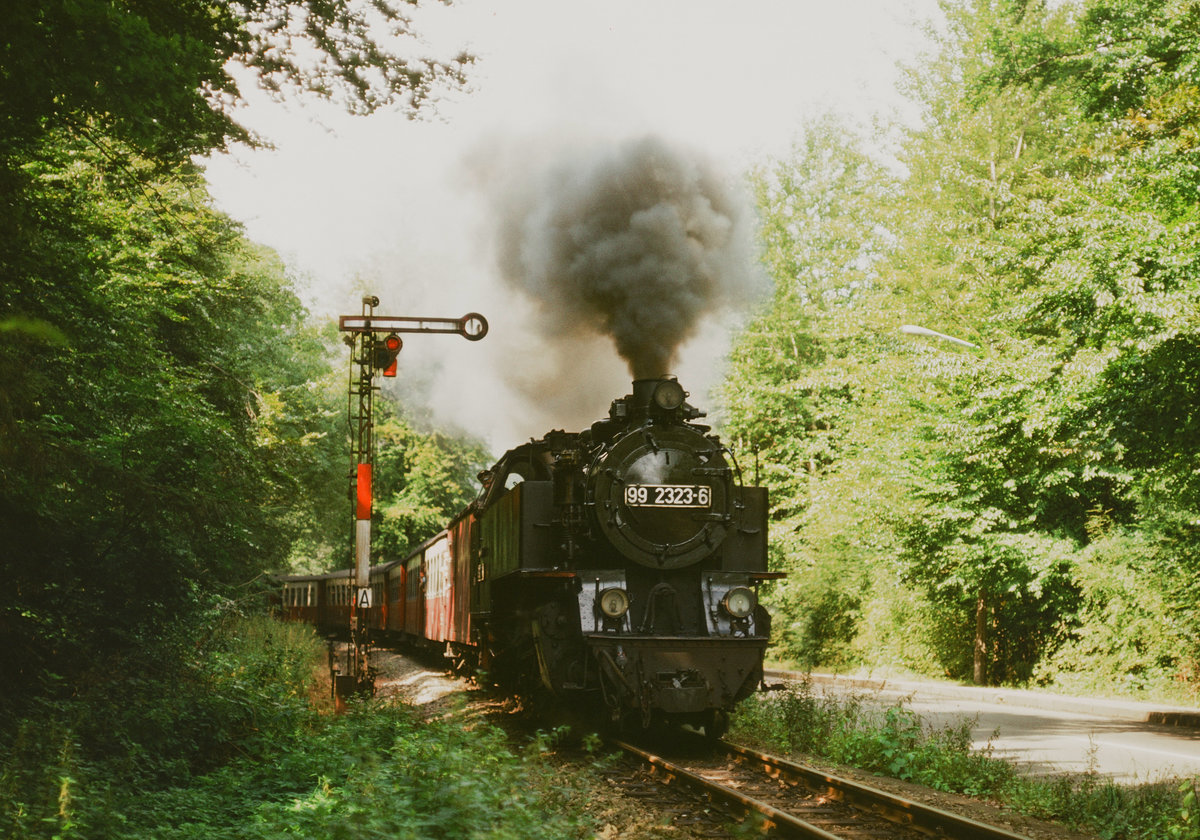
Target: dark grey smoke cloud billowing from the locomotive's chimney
638	243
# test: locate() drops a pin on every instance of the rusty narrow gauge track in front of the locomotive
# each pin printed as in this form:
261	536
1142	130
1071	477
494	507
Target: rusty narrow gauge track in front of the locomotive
795	801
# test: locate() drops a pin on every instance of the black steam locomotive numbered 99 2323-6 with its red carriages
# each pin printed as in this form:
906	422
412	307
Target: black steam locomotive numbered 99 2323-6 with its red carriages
620	566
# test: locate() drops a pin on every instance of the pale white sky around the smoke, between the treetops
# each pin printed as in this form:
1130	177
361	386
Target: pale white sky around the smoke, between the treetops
380	203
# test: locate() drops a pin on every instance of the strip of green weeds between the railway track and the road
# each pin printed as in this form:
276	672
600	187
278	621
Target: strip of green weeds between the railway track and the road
897	742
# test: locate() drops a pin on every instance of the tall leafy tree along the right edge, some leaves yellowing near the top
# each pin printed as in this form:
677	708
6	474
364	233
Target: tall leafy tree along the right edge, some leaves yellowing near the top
1113	287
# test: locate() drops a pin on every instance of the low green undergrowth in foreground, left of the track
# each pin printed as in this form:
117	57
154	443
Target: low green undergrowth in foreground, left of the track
230	746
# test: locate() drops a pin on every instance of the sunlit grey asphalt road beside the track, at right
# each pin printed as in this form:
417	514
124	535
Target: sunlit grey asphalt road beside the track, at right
1130	743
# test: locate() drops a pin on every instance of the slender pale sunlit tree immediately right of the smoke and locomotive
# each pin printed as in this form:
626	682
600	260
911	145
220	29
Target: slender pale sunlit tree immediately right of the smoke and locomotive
794	389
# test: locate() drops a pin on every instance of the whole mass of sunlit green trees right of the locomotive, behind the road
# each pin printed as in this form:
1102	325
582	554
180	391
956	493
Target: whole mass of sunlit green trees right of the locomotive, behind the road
1047	214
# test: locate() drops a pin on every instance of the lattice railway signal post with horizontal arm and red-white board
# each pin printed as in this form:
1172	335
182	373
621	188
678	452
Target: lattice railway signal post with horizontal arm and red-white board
375	345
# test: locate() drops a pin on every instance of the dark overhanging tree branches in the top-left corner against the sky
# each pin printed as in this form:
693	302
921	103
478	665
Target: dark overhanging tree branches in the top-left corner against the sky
160	76
